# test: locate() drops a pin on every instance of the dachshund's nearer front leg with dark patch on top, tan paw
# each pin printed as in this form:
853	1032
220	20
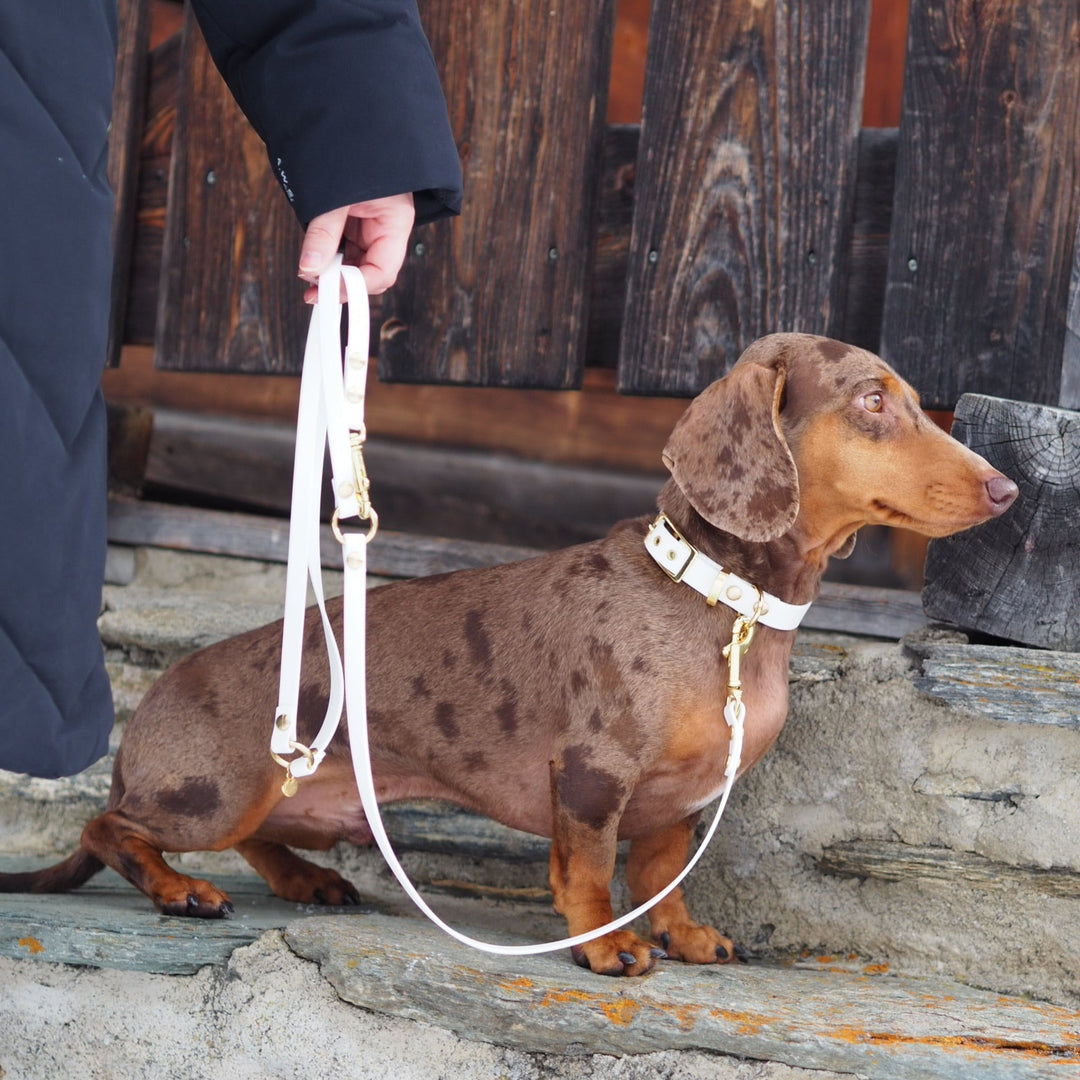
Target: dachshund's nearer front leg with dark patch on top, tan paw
583	862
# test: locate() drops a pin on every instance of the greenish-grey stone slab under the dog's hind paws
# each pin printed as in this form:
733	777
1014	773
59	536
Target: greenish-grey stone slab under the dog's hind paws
107	924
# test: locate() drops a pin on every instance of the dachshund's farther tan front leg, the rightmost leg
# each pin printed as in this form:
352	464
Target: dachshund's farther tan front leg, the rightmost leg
655	861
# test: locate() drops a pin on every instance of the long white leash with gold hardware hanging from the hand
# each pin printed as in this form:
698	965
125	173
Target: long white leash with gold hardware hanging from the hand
332	409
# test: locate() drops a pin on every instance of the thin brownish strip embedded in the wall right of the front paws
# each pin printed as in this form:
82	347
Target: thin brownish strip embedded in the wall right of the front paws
894	861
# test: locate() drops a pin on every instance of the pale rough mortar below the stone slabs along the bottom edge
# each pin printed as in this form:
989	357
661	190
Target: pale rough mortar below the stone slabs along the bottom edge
269	1015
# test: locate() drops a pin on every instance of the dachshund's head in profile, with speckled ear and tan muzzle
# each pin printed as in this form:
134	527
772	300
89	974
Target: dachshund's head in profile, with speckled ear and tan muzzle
808	430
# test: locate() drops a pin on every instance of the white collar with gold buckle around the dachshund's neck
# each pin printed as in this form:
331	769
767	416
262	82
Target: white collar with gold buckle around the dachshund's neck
682	562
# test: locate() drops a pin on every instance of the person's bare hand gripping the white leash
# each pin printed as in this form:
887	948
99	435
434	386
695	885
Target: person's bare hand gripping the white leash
376	236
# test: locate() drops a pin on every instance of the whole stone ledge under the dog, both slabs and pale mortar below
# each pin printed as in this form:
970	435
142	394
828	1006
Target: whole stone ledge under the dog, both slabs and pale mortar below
806	1016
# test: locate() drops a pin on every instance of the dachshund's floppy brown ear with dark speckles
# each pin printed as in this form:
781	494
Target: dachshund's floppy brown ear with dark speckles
728	454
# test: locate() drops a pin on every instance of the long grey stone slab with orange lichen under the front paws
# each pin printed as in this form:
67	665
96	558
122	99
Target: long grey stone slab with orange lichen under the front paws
886	1028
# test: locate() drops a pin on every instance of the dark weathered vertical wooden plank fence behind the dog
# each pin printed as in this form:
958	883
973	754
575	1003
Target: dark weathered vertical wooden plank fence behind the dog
749	200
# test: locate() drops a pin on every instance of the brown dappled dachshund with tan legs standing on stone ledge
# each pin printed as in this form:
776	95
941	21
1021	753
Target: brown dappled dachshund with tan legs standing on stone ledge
577	696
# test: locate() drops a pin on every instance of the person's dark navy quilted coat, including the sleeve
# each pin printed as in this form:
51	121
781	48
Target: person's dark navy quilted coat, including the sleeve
346	96
